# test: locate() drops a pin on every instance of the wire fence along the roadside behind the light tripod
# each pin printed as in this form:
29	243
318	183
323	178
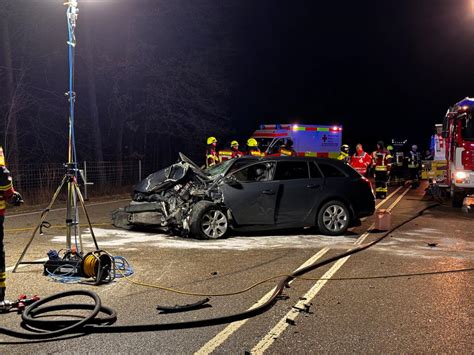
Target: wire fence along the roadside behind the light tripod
37	182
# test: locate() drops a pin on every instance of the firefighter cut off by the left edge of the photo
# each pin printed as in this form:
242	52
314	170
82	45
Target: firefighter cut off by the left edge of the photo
7	193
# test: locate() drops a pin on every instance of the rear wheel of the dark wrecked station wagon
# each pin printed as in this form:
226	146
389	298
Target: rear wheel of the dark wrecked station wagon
333	218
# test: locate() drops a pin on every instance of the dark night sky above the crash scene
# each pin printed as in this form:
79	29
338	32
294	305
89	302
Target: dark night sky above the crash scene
382	69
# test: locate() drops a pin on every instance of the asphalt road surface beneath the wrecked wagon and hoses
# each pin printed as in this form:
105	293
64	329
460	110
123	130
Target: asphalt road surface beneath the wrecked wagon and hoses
402	295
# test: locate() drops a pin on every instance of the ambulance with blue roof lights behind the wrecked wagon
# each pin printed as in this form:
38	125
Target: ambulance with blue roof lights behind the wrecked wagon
308	140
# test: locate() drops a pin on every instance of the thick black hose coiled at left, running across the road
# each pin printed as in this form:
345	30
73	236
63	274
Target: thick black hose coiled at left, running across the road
48	329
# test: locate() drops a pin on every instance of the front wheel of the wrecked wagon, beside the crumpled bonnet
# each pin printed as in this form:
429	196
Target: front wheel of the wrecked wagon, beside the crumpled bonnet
208	221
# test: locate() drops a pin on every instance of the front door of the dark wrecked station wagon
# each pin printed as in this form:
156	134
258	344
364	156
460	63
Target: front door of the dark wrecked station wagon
251	195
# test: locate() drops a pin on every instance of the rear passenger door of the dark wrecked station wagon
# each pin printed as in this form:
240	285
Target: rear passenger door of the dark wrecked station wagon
298	191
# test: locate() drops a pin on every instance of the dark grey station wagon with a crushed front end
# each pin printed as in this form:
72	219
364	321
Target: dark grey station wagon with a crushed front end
249	194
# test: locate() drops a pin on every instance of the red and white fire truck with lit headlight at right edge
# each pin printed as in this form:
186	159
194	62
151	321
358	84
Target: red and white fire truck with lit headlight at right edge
458	130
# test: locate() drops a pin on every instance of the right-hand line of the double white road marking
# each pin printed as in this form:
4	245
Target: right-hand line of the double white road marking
291	316
